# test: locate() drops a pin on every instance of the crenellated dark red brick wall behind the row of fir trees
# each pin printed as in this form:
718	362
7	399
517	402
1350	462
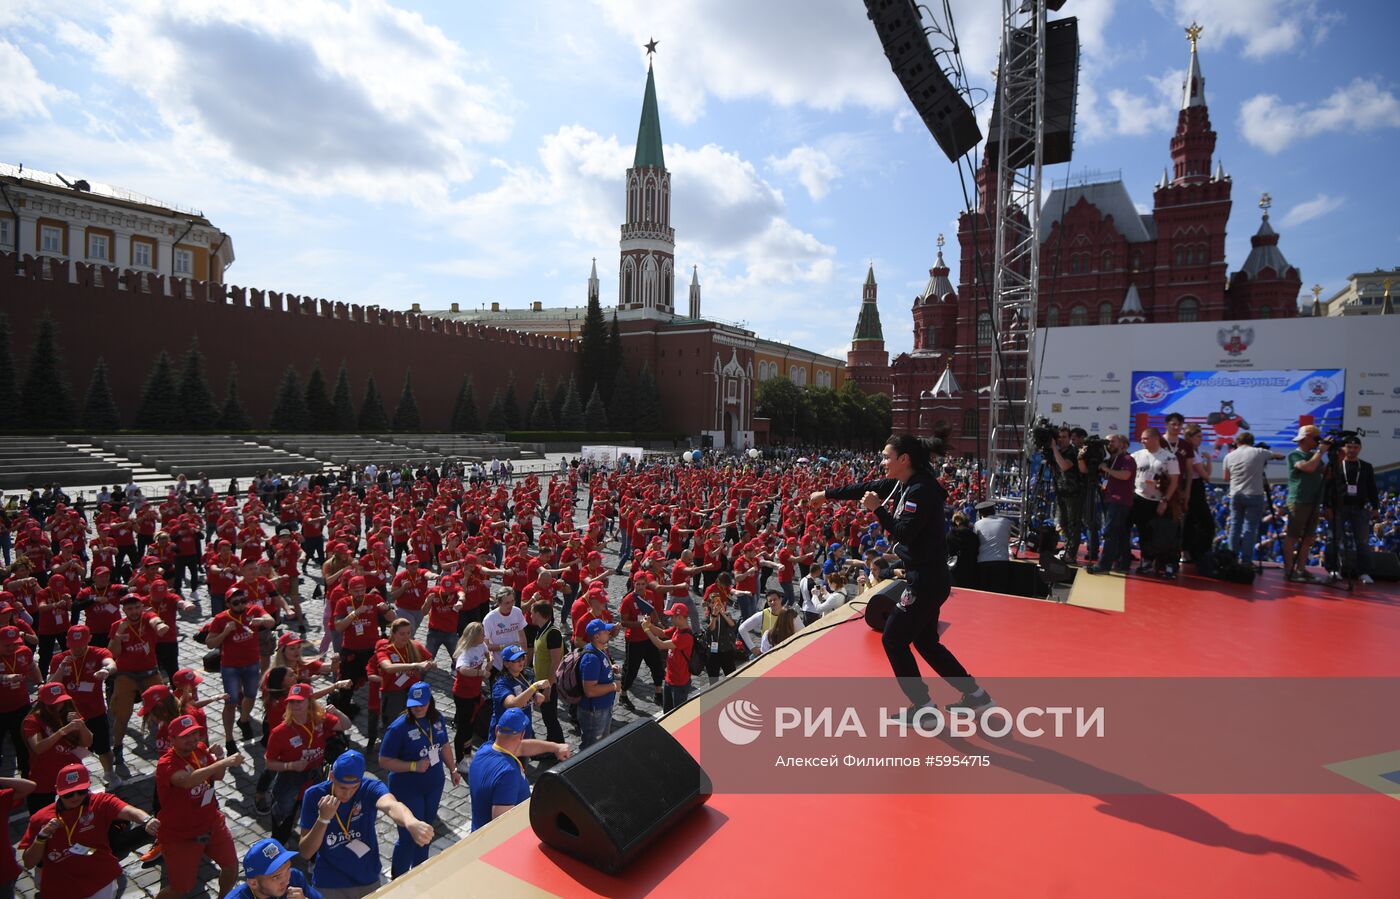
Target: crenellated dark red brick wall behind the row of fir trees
128	319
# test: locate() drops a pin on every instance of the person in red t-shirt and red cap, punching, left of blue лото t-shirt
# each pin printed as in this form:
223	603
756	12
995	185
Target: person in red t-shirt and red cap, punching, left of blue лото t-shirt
192	827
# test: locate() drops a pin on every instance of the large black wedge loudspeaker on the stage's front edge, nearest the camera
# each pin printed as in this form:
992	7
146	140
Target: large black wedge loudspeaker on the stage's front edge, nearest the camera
605	806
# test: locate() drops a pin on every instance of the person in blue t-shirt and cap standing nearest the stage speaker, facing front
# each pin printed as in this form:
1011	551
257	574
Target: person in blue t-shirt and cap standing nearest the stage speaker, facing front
418	755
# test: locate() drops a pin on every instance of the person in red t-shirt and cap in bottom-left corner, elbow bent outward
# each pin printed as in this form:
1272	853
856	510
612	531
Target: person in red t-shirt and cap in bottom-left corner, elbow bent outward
82	818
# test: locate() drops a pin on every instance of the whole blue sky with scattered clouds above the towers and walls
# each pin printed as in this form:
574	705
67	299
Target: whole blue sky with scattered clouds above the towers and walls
470	152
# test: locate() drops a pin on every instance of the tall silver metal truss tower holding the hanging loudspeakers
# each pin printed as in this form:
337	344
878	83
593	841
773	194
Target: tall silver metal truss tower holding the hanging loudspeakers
1020	148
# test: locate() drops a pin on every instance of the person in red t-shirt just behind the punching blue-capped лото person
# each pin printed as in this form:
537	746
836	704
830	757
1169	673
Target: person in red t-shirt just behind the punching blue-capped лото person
297	755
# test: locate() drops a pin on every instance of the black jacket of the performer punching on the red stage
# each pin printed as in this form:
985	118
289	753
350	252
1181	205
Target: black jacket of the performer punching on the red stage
913	516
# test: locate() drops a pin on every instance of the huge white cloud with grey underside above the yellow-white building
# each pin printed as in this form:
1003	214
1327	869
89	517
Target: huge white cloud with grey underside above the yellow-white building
311	96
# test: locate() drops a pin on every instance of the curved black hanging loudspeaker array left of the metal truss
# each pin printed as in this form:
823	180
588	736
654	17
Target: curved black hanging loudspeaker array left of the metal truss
947	116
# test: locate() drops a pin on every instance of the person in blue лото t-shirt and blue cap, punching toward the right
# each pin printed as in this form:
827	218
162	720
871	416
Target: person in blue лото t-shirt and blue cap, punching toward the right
338	818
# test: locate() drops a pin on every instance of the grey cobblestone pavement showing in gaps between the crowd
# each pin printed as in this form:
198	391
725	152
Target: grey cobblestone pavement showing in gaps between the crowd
236	793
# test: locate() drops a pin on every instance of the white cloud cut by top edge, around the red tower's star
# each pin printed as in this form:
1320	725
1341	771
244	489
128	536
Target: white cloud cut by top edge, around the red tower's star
1265	27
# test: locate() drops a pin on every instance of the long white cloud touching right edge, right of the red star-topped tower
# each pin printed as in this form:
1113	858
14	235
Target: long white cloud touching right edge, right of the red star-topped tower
1272	125
